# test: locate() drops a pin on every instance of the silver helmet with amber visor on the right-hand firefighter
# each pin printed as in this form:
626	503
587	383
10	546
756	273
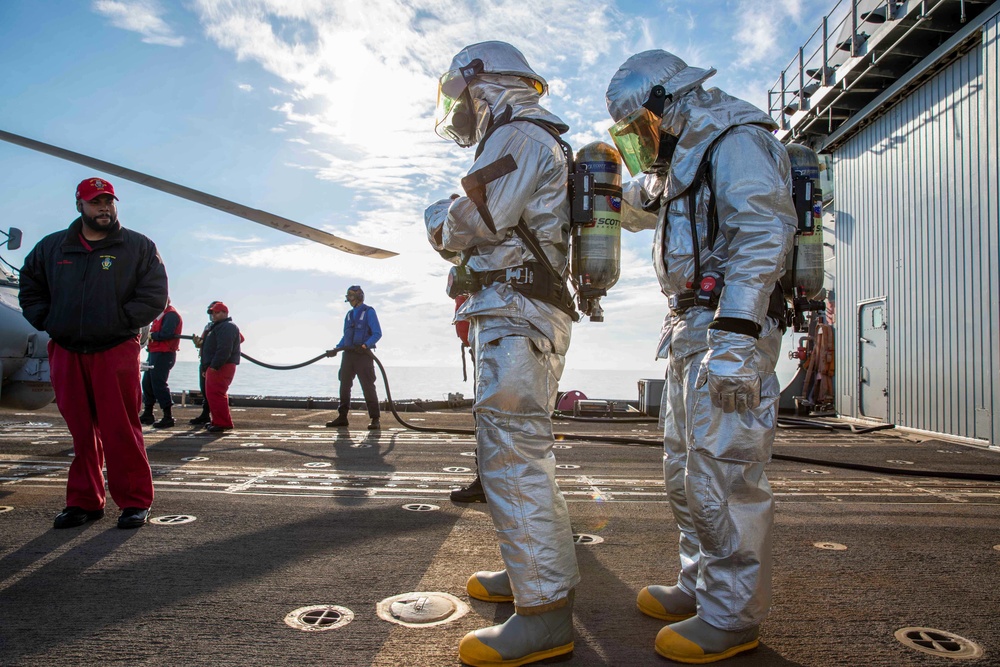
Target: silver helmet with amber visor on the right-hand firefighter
640	92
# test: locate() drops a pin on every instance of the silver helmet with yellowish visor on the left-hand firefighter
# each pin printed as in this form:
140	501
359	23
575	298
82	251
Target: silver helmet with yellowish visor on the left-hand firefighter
462	117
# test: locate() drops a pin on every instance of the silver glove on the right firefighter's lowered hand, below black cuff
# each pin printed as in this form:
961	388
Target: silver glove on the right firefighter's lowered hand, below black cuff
730	370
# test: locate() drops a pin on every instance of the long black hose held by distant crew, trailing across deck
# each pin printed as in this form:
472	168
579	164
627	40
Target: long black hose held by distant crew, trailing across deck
784	422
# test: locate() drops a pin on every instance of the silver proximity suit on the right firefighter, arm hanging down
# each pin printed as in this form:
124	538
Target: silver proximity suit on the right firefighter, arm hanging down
714	455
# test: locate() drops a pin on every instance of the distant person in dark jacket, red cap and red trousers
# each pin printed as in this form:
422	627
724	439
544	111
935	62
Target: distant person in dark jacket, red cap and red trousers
220	352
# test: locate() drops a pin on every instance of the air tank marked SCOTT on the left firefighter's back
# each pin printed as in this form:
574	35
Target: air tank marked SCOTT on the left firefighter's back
596	256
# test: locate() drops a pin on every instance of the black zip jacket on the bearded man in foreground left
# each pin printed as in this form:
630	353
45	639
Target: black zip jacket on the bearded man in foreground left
92	301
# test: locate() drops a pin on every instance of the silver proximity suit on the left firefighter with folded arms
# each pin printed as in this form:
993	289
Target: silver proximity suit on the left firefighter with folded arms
520	342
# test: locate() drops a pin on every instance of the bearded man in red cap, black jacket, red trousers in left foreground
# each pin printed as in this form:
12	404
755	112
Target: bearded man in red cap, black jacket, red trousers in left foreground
91	288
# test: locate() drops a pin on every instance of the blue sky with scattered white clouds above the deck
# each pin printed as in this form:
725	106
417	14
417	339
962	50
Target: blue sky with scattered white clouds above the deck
322	111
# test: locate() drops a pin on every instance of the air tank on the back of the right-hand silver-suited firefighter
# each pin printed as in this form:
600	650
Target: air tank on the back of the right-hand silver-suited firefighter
804	273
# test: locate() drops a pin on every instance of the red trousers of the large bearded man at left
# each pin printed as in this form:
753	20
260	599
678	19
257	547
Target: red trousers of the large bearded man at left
99	396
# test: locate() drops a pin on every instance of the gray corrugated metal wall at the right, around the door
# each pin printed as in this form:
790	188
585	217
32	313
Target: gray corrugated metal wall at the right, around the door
917	224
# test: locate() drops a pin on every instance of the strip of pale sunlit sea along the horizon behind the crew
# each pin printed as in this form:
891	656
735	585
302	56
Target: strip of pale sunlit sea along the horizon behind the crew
405	382
